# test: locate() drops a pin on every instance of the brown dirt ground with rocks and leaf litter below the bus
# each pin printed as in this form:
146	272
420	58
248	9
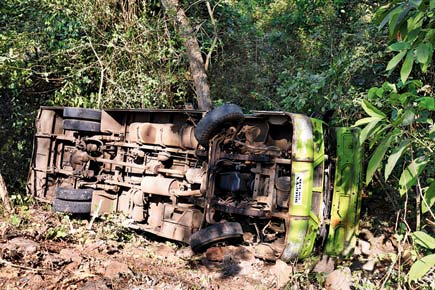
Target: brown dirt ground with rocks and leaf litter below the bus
40	249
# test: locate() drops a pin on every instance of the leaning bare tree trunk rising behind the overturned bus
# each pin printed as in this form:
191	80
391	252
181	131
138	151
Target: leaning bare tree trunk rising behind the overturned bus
196	63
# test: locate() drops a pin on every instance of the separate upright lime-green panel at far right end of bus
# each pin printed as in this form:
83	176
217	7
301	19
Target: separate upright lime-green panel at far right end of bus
347	192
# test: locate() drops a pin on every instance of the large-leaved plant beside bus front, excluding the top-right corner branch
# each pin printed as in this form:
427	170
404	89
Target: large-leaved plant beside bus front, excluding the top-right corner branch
401	124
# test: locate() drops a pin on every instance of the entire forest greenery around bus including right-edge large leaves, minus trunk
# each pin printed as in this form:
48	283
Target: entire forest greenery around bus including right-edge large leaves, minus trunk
368	61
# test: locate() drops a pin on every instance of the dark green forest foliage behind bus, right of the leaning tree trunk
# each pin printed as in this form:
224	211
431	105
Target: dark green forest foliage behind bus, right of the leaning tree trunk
299	56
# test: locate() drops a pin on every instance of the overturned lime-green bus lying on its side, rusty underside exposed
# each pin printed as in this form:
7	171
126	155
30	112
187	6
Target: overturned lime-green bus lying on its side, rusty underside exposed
278	179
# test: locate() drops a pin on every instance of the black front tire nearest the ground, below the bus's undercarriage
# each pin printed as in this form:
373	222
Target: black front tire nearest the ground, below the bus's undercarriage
215	233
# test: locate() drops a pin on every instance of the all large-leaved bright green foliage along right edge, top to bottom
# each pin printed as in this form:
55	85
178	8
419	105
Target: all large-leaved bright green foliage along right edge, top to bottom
405	128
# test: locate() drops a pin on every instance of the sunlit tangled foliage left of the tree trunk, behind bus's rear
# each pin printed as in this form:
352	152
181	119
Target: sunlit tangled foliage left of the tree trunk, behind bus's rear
82	53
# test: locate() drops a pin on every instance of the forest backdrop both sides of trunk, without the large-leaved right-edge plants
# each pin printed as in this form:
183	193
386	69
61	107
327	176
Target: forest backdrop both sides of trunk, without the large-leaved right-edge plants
299	56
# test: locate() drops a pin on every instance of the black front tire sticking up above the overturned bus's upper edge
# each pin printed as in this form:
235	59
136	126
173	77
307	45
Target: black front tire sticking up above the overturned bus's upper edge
216	119
